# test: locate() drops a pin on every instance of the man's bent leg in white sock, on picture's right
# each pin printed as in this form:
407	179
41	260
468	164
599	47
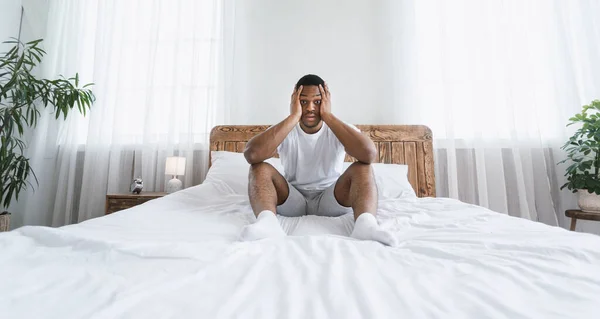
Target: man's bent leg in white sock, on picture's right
356	188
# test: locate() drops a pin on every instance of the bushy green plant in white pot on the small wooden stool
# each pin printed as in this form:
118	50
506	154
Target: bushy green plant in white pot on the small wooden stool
583	152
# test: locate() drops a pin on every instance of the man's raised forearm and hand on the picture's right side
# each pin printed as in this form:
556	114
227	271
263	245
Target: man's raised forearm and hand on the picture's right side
356	144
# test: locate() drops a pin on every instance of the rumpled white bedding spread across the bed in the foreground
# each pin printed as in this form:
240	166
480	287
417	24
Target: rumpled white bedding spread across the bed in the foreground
178	257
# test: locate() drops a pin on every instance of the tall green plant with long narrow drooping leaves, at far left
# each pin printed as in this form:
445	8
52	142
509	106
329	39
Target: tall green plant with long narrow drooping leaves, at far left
22	95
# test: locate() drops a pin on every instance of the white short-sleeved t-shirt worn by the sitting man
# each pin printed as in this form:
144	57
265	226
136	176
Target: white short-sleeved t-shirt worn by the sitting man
312	161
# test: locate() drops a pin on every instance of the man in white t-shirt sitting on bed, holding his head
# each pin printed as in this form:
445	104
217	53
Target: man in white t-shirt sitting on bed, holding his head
312	143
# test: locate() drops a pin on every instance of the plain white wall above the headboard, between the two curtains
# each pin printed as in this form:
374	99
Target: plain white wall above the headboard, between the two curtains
276	42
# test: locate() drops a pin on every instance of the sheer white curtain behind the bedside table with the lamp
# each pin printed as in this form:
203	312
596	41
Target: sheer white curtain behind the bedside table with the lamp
156	66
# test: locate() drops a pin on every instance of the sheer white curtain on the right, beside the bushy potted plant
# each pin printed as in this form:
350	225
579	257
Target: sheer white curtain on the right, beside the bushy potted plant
496	81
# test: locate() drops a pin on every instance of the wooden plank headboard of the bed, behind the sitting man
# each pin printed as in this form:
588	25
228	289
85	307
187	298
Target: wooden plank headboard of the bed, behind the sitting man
397	144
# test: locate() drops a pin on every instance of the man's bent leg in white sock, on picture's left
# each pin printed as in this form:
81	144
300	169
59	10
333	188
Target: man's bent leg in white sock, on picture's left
266	189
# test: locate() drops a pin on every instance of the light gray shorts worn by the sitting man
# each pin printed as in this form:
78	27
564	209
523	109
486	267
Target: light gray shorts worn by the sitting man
322	203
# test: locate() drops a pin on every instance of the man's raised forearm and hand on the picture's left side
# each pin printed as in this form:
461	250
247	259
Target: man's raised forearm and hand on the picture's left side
264	145
